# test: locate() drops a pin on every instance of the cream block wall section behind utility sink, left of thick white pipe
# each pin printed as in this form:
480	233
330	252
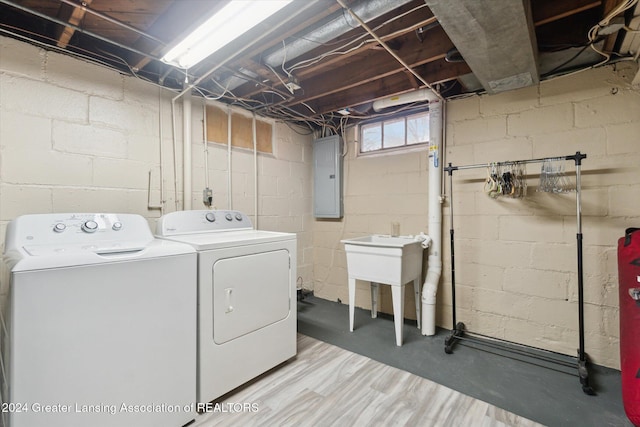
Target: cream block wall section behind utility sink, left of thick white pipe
378	190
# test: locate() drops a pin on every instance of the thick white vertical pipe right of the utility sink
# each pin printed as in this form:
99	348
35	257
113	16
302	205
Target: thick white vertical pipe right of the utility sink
434	270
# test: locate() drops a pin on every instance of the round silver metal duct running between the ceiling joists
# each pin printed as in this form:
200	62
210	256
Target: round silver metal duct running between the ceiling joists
328	29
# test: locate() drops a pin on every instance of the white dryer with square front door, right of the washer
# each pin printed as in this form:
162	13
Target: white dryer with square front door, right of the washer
246	296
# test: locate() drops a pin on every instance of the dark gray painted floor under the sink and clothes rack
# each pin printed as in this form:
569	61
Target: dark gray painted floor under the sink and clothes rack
548	395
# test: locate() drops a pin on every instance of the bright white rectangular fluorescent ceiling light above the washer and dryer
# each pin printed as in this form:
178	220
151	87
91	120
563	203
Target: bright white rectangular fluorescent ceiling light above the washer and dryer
233	20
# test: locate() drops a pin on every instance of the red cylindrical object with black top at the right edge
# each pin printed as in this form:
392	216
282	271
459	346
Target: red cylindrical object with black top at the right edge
629	294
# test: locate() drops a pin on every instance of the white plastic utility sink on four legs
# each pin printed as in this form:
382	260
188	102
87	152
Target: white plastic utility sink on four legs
383	259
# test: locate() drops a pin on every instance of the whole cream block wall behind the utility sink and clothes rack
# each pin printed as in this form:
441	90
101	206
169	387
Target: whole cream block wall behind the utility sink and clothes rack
515	258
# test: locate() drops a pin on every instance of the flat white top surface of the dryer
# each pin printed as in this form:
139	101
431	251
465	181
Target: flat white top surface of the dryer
219	240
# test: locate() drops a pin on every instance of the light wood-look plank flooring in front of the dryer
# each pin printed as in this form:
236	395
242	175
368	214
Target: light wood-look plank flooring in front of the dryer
328	386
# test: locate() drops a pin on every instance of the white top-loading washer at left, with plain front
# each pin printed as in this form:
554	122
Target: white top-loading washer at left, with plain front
101	324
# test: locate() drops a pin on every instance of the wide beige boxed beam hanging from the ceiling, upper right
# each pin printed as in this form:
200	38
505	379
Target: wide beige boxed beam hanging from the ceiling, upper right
496	40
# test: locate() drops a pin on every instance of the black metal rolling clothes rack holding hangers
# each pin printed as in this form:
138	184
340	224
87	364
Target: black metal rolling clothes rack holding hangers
459	333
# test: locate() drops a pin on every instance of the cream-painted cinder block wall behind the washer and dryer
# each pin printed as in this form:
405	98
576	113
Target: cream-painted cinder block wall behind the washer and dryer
76	137
